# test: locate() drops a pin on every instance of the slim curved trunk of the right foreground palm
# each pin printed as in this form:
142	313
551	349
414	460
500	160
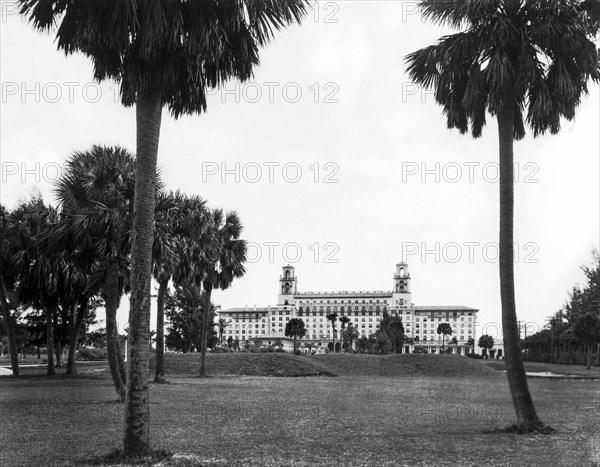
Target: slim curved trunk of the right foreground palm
527	418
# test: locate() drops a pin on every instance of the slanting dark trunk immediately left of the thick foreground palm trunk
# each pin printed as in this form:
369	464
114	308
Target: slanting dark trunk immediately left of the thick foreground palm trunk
113	349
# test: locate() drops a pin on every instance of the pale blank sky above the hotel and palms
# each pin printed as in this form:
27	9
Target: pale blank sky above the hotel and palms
335	162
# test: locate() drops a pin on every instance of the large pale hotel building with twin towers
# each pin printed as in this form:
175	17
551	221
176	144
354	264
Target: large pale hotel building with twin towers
365	310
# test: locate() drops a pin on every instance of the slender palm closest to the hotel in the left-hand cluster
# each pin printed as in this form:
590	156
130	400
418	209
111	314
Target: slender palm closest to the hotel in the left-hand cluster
223	264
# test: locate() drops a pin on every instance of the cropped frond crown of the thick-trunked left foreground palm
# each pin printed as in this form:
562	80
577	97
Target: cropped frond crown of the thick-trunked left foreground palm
187	46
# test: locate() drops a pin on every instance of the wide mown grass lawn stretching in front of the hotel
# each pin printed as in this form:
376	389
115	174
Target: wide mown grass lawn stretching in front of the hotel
386	417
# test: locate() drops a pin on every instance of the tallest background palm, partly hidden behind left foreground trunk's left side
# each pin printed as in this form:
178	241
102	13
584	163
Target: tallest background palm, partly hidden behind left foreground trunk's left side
95	192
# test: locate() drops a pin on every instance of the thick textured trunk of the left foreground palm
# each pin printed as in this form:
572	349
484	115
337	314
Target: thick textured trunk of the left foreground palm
137	412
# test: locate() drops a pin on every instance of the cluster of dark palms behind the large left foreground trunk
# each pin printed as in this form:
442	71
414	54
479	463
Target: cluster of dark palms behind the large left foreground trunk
58	264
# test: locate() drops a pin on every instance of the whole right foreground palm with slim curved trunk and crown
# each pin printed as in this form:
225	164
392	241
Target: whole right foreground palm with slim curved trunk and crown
511	56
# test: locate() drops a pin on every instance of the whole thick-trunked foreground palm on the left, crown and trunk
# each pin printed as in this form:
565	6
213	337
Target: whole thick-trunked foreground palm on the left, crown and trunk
162	53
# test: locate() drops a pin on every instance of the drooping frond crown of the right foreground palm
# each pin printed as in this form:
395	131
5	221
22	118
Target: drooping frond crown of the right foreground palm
539	54
